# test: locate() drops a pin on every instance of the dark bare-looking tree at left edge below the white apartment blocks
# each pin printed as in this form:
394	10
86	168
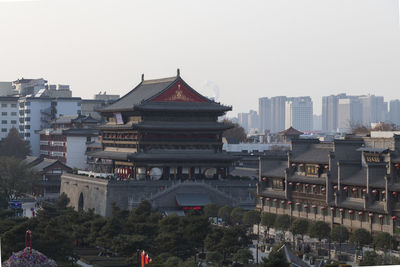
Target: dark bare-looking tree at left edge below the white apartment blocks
14	146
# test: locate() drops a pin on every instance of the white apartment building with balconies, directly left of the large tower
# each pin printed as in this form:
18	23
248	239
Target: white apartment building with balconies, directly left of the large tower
36	113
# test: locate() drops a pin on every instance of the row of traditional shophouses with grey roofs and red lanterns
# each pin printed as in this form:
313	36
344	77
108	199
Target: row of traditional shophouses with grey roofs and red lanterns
352	181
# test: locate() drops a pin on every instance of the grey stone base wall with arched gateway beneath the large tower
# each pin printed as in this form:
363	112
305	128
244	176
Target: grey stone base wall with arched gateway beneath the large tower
98	194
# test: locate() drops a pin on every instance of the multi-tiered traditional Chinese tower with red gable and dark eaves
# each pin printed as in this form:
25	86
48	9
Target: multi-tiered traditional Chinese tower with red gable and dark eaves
163	129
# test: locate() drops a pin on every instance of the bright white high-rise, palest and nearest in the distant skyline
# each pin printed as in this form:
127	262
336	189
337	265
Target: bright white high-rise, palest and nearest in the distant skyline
299	113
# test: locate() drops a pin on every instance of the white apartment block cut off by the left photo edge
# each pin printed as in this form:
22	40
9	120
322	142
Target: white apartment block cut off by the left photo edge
9	114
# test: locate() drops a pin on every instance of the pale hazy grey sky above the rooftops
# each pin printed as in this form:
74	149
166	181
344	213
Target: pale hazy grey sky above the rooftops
248	49
